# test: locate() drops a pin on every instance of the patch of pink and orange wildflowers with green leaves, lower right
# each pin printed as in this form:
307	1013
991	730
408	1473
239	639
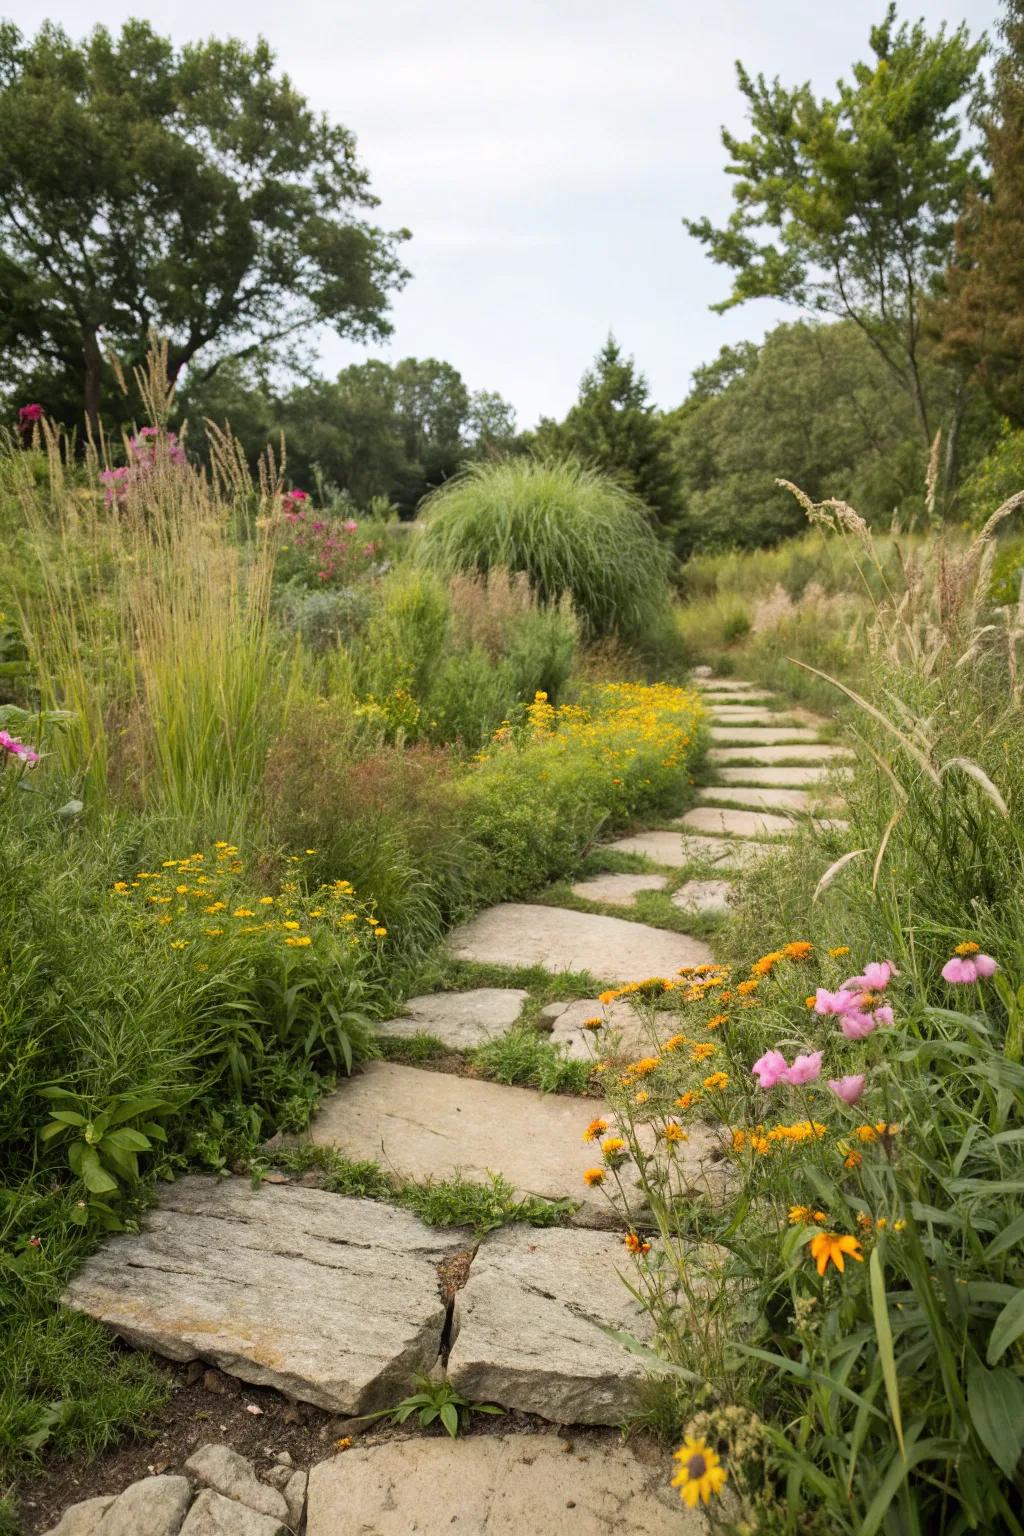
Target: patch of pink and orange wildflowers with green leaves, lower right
859	1285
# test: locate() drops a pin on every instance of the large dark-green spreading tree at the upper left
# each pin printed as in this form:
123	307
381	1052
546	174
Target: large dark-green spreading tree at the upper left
191	191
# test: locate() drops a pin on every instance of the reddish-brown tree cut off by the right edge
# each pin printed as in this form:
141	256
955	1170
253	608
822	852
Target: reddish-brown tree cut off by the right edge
983	314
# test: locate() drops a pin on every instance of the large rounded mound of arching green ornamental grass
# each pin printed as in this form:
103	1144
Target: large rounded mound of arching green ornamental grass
572	531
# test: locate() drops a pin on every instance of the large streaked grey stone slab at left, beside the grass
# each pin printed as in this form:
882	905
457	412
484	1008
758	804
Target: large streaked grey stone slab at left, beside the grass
329	1300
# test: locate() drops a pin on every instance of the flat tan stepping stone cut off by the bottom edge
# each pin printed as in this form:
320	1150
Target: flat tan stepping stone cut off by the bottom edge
497	1486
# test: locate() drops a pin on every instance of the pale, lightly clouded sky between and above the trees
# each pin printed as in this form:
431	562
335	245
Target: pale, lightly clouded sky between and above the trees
544	153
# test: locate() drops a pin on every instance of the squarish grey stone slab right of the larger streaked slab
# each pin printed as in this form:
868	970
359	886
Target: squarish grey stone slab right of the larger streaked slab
529	1326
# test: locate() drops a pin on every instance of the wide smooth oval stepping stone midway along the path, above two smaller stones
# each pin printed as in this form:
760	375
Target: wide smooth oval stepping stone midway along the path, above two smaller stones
610	948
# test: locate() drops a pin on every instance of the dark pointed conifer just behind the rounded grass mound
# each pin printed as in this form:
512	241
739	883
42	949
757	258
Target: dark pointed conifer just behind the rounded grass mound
616	428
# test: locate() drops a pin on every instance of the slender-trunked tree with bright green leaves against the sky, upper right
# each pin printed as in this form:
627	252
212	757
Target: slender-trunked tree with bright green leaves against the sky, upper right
859	194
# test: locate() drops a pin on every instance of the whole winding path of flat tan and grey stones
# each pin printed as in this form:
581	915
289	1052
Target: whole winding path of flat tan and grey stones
343	1302
